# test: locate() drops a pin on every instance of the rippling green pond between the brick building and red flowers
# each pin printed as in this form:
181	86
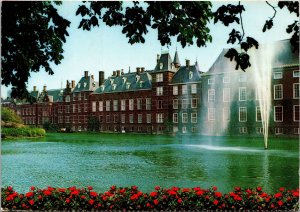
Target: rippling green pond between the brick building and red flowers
102	160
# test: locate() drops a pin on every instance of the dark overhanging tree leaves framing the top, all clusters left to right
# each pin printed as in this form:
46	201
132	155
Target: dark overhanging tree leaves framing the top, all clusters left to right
34	36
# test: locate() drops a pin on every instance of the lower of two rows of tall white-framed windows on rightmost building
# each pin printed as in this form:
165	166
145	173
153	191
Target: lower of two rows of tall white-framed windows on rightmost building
278	114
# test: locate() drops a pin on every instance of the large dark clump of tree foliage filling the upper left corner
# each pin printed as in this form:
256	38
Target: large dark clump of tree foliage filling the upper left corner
32	38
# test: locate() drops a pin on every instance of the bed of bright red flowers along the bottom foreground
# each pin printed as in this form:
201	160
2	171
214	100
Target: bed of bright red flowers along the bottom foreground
160	199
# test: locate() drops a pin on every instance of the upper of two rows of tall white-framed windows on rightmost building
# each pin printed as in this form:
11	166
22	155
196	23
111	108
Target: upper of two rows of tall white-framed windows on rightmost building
278	93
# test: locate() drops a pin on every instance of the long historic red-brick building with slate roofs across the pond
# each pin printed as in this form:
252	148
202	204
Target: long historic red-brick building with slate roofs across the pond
173	98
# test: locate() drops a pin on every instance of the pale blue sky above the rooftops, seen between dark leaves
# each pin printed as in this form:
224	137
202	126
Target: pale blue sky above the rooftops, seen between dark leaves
107	49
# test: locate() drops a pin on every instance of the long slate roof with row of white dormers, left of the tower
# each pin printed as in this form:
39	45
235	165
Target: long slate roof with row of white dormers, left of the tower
126	82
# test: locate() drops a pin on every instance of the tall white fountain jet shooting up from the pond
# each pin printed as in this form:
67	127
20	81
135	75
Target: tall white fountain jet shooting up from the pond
261	65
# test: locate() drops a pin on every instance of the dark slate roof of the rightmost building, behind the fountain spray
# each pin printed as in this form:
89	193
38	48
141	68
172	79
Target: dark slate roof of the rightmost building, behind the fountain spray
283	57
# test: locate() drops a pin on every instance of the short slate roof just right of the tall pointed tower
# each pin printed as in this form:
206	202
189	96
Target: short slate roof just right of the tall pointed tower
183	75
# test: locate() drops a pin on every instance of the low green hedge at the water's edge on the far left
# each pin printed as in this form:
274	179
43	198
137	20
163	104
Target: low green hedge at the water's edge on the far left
22	132
